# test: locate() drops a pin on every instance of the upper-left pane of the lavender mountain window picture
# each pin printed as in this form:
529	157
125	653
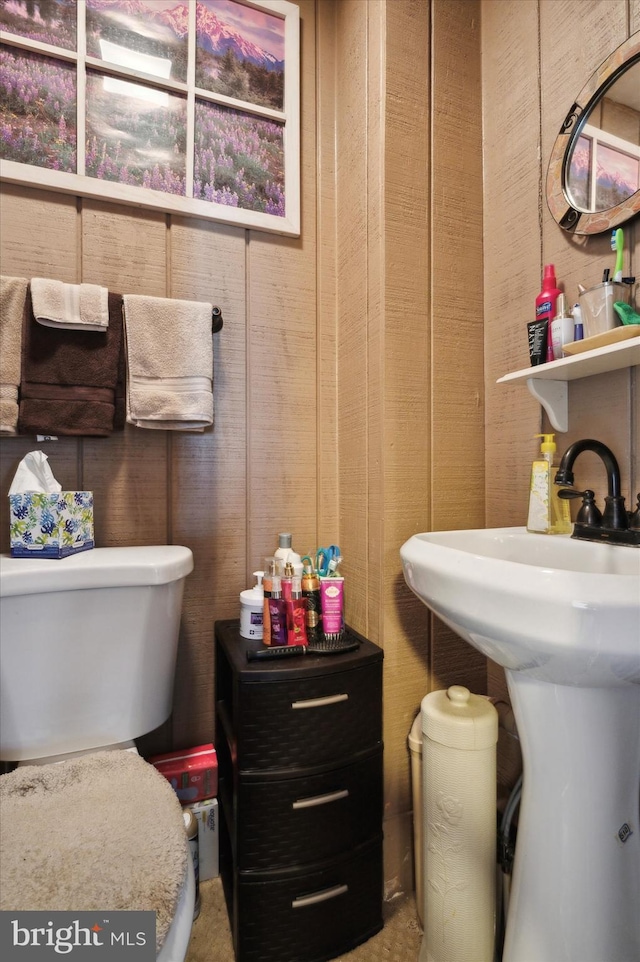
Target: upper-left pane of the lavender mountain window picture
47	21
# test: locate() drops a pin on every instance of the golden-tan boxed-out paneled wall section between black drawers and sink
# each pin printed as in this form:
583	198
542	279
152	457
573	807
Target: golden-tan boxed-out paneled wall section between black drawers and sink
409	335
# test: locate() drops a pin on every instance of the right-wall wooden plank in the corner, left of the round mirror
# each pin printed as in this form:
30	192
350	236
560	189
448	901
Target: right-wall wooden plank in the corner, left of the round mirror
512	247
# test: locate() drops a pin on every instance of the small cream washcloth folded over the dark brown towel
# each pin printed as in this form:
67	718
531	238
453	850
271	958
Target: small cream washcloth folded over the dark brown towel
74	307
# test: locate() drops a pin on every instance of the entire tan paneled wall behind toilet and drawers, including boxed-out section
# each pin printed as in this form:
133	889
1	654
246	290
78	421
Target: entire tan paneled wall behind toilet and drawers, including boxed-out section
347	383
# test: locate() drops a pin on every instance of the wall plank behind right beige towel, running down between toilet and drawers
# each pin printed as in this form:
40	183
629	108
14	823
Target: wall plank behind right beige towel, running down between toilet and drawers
208	471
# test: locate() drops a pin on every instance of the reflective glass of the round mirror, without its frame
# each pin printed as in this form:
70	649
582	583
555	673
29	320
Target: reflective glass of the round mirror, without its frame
602	167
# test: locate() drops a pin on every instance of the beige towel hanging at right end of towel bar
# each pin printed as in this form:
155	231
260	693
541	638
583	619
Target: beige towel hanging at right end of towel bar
169	345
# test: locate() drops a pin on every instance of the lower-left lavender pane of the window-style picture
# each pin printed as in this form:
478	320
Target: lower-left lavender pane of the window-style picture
37	110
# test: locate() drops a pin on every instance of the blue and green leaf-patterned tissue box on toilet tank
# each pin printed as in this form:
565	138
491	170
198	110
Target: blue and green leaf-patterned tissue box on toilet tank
50	525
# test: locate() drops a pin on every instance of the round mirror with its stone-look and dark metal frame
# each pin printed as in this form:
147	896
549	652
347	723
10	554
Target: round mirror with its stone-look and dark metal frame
593	181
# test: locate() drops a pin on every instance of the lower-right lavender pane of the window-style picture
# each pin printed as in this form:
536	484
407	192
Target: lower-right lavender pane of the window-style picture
238	160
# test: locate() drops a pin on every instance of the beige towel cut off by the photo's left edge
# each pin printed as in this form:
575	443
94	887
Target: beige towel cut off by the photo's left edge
13	300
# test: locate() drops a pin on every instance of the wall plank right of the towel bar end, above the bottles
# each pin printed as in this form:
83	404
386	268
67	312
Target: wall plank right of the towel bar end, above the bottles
281	356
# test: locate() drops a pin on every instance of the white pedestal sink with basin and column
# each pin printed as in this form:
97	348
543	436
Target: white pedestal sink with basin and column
563	618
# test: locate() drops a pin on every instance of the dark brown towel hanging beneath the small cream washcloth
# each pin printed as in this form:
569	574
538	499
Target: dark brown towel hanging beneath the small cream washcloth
70	378
